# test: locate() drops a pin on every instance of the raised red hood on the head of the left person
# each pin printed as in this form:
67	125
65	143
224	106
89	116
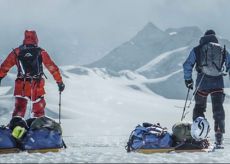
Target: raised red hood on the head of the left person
30	38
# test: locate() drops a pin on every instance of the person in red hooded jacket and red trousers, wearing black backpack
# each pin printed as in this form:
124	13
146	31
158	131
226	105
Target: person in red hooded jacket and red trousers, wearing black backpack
29	84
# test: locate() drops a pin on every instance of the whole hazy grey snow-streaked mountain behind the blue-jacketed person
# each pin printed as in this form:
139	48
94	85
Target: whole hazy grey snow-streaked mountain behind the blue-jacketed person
155	53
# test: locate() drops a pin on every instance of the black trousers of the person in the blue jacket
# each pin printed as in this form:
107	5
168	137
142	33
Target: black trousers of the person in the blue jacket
217	97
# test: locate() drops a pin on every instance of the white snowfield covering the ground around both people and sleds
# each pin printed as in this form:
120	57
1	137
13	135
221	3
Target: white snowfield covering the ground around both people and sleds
98	115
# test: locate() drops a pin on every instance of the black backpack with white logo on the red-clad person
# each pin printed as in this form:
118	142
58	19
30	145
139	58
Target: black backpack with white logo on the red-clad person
30	62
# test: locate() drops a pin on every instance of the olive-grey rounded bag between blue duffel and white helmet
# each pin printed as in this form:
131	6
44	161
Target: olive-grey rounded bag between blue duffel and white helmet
181	132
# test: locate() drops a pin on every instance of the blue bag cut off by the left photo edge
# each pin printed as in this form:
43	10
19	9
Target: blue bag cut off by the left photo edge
6	139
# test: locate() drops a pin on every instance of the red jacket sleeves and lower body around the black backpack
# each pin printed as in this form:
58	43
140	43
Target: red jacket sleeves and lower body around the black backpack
36	88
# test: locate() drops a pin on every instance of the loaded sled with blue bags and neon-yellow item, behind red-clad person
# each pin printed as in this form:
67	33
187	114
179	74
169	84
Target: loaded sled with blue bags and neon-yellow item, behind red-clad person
36	135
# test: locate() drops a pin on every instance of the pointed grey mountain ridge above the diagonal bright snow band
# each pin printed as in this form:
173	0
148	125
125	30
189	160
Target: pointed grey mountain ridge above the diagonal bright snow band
146	45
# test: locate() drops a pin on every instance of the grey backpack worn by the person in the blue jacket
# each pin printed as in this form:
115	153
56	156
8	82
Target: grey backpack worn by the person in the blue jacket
210	58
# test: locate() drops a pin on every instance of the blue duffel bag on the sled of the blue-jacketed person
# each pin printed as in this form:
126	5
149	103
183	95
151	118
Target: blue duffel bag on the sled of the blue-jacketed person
149	136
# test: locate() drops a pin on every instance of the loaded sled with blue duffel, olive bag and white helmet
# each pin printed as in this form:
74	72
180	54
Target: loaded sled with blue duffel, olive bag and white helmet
152	138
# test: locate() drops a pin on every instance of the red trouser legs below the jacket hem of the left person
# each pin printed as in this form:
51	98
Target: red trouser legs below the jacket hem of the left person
21	105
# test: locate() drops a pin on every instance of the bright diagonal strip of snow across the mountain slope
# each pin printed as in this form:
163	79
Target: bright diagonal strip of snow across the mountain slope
159	58
